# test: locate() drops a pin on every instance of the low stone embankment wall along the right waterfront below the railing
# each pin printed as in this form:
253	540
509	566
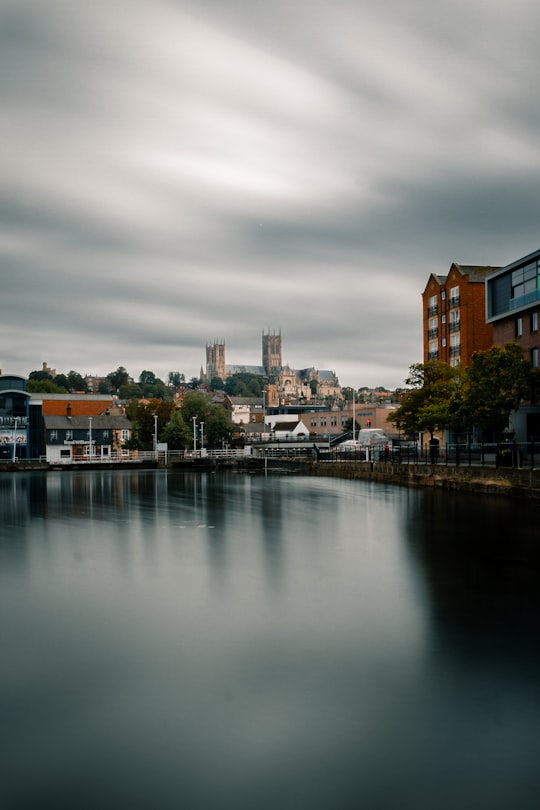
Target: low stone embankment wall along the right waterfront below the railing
524	483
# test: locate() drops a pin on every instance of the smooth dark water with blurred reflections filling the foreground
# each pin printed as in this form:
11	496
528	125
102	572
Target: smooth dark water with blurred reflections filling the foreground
215	641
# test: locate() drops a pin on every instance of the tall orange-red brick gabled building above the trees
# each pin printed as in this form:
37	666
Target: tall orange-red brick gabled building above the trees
453	314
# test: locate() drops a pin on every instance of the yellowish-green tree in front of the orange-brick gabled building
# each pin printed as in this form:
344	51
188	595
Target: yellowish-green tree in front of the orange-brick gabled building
427	406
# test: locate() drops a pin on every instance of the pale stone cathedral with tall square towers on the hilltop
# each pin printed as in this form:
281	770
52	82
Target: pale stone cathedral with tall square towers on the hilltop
283	381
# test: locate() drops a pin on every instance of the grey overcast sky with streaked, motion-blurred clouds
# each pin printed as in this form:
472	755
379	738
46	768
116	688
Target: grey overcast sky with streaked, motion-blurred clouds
179	171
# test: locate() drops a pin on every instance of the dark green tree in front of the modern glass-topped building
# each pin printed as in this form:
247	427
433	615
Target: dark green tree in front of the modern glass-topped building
497	380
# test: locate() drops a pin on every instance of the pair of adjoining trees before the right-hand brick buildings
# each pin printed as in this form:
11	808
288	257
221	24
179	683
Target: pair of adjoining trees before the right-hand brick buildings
475	401
